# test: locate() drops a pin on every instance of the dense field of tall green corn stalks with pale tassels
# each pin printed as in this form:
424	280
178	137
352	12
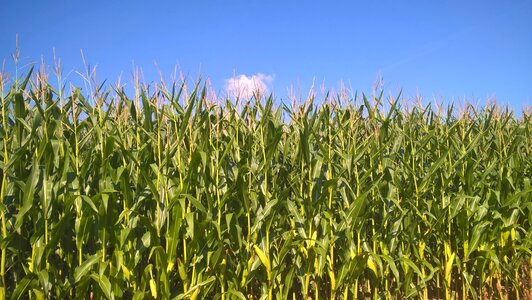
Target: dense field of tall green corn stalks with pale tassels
168	192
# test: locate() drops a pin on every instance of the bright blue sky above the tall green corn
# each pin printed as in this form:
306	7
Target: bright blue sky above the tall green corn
441	49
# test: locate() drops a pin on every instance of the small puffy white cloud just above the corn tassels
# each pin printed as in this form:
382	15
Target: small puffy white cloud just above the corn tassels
243	86
